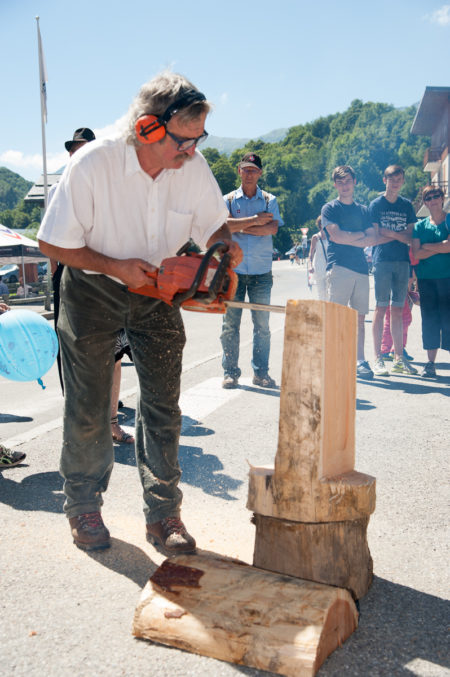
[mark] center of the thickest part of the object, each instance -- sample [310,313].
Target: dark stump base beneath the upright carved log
[335,553]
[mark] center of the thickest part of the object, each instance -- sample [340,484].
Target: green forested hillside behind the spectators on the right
[368,136]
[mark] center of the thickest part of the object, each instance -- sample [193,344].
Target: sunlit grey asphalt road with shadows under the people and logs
[66,612]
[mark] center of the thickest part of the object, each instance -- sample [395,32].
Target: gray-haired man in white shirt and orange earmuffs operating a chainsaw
[121,207]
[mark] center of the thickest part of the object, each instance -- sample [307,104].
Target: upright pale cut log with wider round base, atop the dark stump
[313,478]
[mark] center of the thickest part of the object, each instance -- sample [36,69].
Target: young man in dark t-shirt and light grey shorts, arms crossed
[348,229]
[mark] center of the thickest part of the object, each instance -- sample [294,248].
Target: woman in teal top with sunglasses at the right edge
[431,245]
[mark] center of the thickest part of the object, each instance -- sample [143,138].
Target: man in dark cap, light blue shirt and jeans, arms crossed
[253,219]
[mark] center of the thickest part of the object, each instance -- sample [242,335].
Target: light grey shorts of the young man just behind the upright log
[348,288]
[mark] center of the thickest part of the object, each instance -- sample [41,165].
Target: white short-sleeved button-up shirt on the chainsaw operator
[107,202]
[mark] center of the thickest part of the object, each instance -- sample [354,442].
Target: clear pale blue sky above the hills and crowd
[265,65]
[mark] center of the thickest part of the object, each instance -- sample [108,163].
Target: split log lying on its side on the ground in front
[225,609]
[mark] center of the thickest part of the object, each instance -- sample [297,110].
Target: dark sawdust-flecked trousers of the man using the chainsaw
[93,310]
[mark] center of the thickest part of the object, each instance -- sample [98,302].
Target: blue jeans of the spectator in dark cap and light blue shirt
[258,288]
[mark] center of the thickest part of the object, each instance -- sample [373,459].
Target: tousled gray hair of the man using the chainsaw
[156,96]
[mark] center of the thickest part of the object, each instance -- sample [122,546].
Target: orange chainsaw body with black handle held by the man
[194,281]
